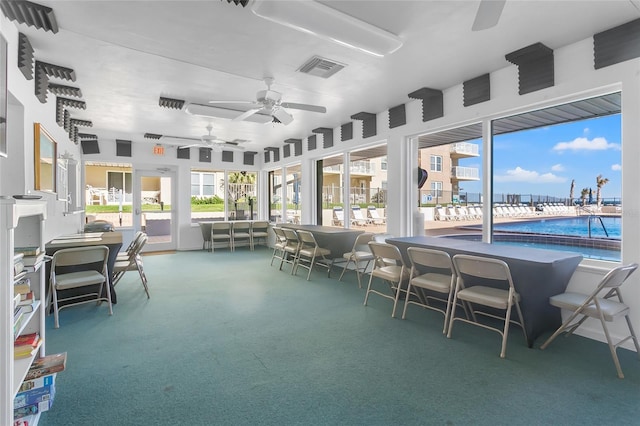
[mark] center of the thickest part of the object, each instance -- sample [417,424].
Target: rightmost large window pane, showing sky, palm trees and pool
[560,185]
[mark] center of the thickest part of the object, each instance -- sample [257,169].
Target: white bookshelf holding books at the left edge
[21,224]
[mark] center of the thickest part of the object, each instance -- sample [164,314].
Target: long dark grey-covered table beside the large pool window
[537,274]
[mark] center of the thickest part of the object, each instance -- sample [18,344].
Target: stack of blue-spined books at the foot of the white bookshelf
[38,390]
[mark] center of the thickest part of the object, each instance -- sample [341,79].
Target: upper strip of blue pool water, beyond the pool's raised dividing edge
[574,226]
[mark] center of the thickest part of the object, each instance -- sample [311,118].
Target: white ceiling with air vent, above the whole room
[127,54]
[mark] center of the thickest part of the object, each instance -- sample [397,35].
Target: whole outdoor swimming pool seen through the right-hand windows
[566,234]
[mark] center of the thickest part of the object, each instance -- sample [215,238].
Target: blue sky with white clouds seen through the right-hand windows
[543,161]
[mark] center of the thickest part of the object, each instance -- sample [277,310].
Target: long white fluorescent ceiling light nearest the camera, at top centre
[325,22]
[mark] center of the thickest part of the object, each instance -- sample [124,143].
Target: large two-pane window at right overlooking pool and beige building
[556,179]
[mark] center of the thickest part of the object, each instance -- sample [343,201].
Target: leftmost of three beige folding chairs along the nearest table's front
[389,267]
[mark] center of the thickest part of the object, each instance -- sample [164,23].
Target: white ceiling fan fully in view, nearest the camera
[270,102]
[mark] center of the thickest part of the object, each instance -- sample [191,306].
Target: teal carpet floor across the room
[227,339]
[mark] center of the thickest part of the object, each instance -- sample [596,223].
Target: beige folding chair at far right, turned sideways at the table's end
[605,303]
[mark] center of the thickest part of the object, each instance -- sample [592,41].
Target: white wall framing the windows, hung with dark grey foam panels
[575,77]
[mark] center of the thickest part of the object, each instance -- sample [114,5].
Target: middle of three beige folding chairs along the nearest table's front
[439,277]
